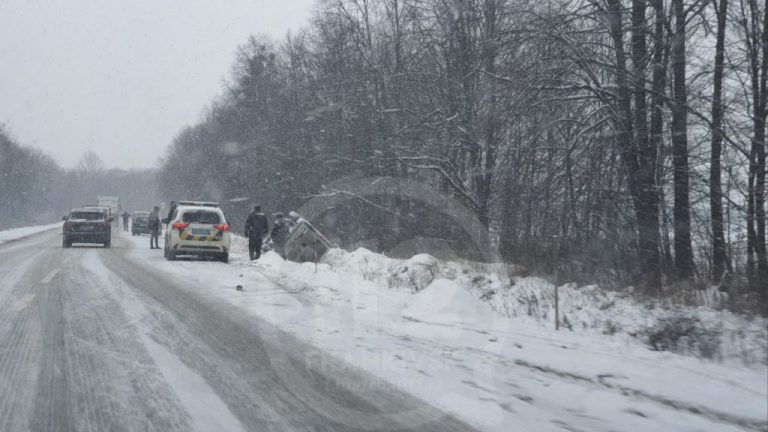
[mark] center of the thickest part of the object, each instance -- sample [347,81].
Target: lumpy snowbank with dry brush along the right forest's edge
[698,331]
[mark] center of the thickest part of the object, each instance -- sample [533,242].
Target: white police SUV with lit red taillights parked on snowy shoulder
[199,230]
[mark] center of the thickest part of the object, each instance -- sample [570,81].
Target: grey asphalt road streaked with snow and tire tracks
[91,340]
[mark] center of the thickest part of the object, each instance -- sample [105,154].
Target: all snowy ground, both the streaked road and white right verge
[120,339]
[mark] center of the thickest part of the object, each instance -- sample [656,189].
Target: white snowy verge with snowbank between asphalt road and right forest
[497,363]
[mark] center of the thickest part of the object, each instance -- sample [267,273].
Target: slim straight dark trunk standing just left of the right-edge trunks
[719,256]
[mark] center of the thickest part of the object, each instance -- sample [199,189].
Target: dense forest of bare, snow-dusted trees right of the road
[617,141]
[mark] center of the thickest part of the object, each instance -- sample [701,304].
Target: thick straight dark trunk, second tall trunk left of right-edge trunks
[682,214]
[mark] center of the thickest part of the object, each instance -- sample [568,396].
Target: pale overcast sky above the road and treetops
[121,78]
